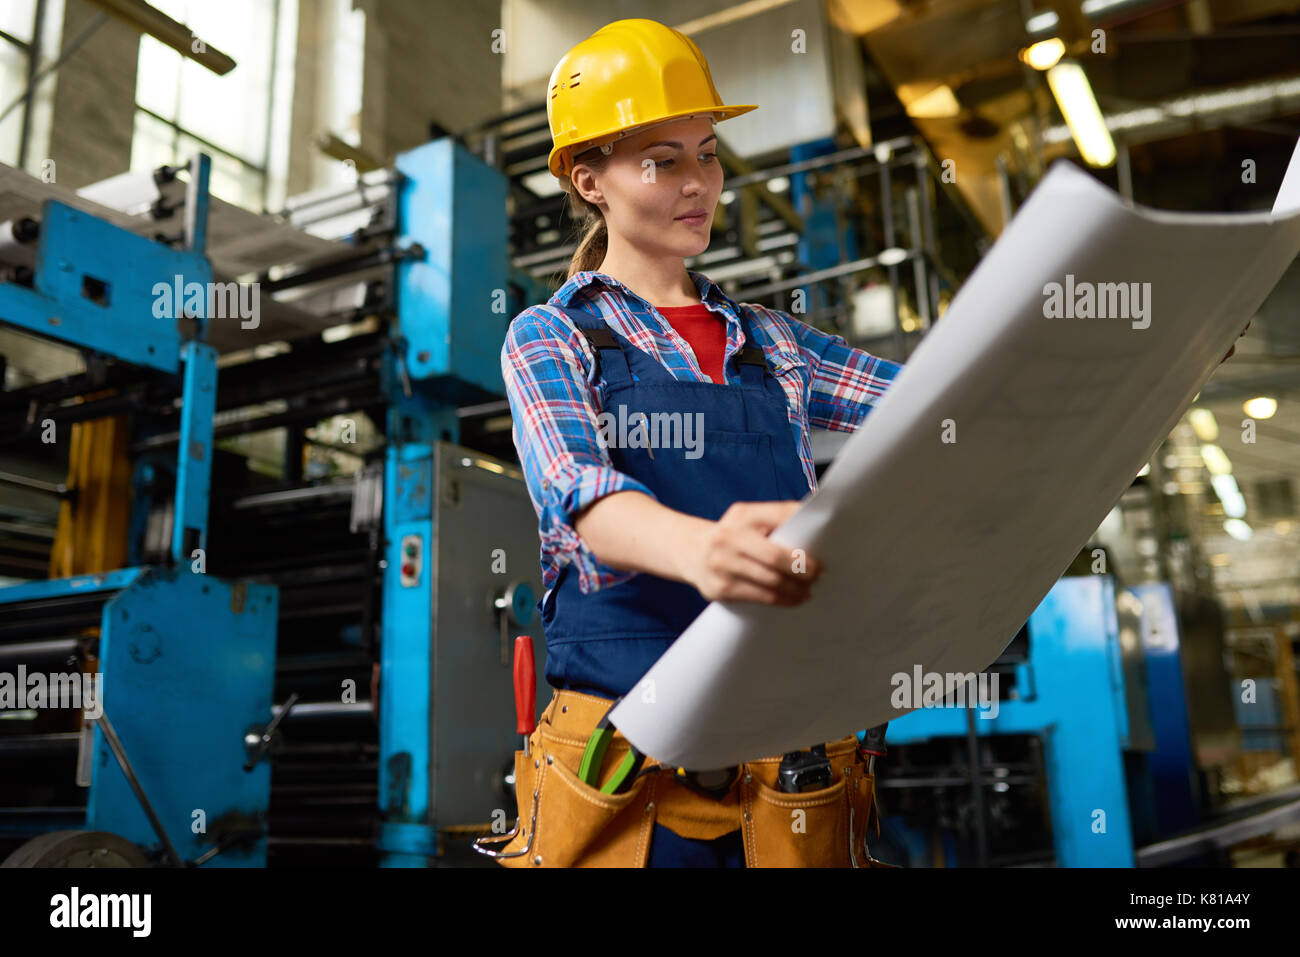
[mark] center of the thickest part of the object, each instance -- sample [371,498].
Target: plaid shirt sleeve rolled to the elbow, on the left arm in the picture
[554,410]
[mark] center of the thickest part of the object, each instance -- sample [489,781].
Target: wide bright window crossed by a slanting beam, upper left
[183,109]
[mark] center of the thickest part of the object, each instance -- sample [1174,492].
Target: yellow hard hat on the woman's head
[627,76]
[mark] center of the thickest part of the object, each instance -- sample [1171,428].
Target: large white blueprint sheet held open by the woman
[934,553]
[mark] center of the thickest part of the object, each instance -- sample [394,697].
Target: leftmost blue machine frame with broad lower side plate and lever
[185,659]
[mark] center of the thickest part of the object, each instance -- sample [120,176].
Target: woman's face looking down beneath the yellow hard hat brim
[655,180]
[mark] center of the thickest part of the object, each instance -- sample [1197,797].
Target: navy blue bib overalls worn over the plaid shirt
[605,642]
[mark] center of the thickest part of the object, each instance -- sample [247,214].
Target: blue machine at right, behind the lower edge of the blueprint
[1100,687]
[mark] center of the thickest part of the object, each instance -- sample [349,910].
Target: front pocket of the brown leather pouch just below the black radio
[796,830]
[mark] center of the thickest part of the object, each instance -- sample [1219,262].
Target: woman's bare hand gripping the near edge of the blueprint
[734,560]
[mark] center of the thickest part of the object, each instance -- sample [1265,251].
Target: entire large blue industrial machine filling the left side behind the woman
[423,560]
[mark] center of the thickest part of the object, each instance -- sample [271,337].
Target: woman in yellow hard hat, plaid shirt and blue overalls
[640,527]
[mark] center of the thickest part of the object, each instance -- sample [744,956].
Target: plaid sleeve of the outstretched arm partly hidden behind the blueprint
[846,382]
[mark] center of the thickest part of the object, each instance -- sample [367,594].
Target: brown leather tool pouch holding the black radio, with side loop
[814,829]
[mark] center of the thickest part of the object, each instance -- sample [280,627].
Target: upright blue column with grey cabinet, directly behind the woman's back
[461,549]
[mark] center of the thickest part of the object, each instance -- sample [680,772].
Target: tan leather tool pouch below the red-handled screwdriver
[567,824]
